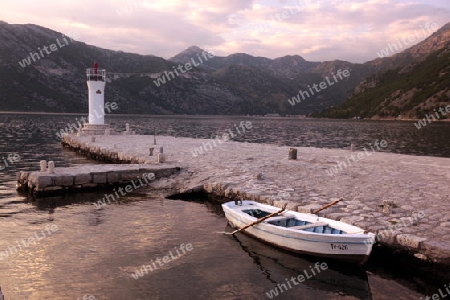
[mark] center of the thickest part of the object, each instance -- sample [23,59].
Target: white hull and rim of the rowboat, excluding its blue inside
[349,247]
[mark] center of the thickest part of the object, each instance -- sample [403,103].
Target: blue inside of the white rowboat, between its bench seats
[291,222]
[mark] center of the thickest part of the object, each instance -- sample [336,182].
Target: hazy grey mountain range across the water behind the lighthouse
[43,70]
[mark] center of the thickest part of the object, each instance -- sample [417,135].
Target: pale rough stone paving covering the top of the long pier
[405,199]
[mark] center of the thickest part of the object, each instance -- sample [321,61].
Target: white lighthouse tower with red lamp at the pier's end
[96,84]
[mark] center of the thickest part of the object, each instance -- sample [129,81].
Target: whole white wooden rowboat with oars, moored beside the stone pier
[301,233]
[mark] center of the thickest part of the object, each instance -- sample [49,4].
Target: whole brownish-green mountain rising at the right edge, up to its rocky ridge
[417,84]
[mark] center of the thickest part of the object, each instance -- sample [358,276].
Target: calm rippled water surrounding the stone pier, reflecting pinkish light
[94,252]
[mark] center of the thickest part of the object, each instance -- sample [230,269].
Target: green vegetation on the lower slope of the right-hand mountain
[411,93]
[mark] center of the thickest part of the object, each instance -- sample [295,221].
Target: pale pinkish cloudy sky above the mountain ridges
[353,30]
